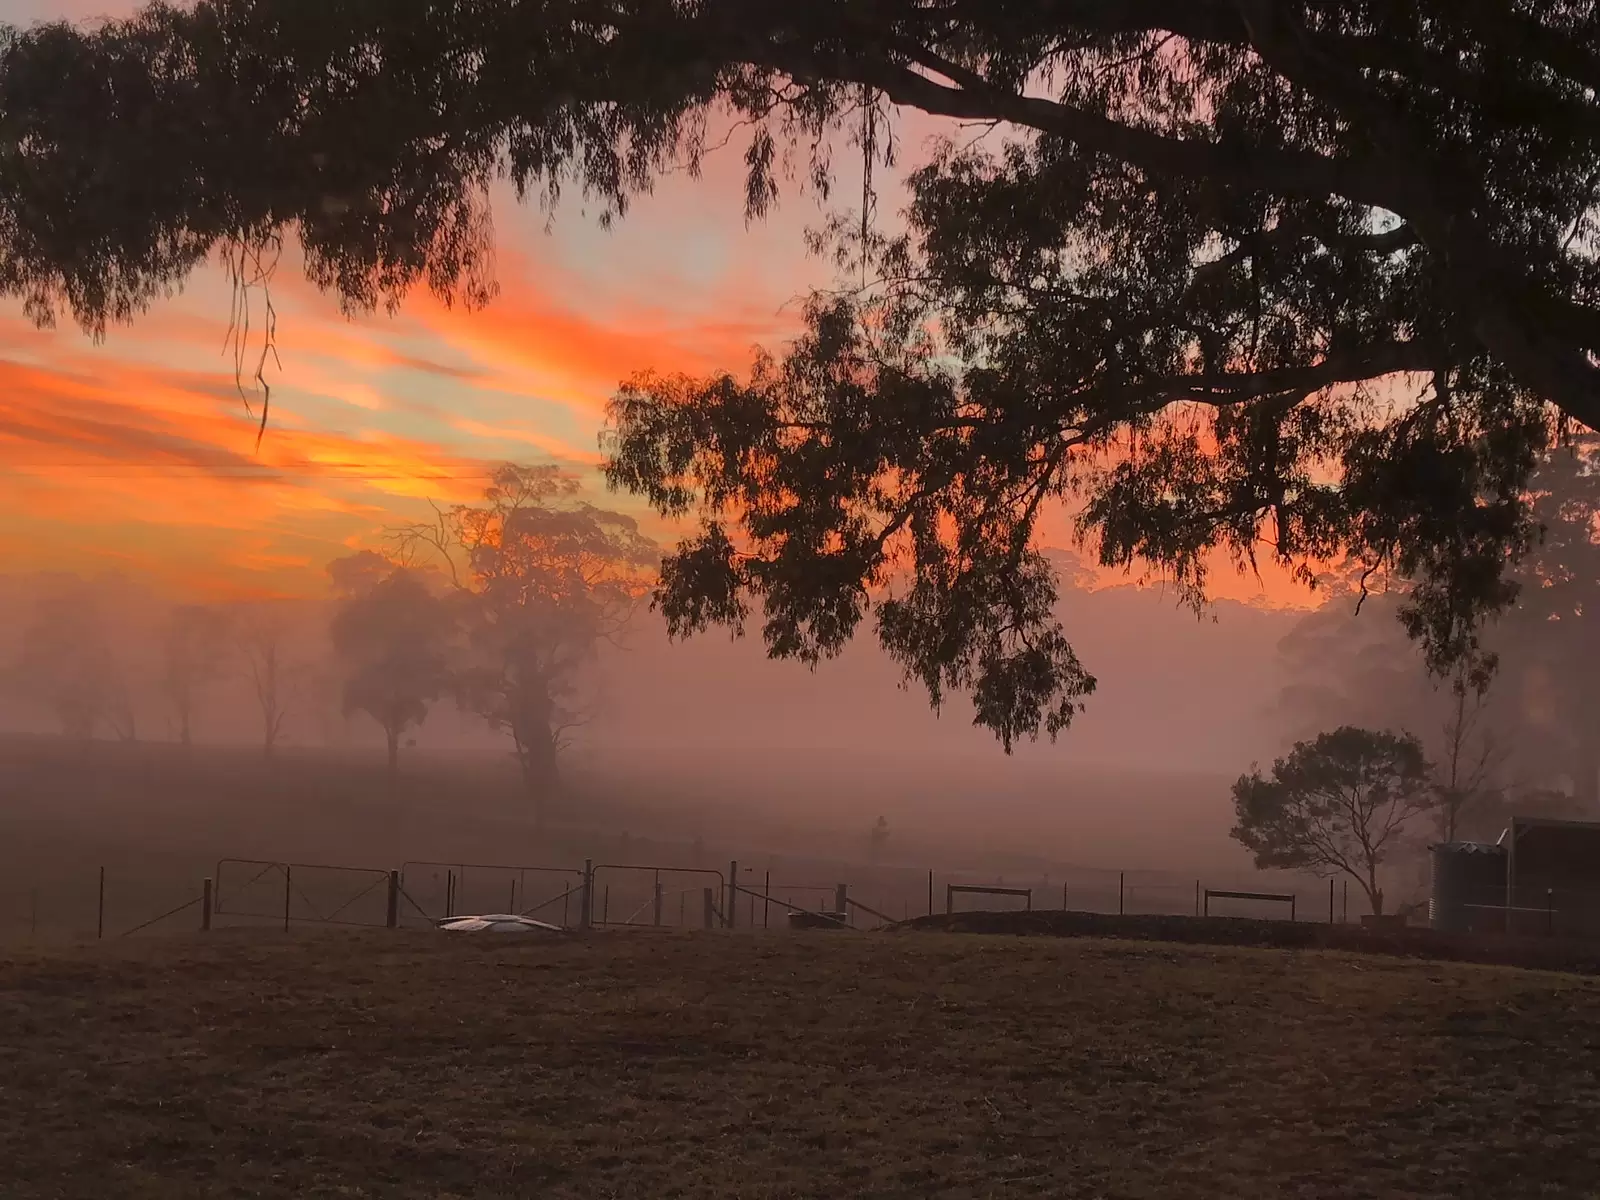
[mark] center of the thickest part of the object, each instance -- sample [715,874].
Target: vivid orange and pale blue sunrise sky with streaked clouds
[140,454]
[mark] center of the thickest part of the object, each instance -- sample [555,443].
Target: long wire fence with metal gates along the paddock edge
[95,905]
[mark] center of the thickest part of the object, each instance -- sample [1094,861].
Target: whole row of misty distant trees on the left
[498,607]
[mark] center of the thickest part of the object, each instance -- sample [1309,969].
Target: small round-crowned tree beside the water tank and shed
[1335,806]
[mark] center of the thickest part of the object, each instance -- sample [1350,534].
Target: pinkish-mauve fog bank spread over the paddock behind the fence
[710,742]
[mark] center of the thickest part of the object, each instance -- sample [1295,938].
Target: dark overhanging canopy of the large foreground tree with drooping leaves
[1231,278]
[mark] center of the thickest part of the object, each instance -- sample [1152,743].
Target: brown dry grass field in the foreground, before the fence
[910,1065]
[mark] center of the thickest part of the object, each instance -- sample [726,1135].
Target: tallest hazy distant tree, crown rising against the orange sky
[545,578]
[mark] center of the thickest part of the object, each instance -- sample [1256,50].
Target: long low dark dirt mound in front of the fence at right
[1550,954]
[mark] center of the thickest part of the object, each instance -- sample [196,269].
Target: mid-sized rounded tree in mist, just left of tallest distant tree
[391,634]
